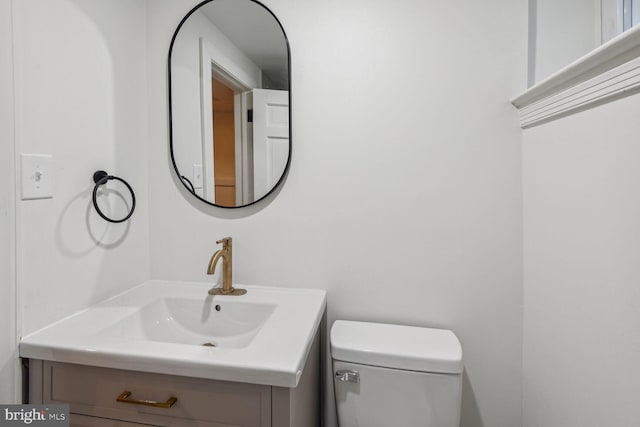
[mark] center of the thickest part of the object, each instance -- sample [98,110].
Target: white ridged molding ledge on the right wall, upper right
[610,72]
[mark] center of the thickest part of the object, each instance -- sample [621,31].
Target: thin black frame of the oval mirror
[173,160]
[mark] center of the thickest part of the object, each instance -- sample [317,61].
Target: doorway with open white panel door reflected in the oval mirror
[246,149]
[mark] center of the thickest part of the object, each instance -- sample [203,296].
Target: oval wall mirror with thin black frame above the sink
[230,102]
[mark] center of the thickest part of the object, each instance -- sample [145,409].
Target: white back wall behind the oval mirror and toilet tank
[404,195]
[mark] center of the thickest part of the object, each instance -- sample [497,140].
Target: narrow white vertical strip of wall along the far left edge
[8,348]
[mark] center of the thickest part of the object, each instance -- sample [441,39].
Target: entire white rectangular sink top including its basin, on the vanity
[176,328]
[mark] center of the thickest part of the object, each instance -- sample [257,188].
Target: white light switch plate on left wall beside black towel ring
[37,176]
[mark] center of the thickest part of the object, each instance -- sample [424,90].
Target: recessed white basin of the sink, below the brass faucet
[194,321]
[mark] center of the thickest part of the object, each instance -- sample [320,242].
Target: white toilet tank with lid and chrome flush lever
[396,376]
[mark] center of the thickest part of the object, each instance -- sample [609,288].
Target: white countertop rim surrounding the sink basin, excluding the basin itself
[275,356]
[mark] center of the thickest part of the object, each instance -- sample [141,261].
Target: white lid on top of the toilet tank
[396,346]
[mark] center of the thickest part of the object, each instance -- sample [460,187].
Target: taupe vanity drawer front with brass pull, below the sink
[93,391]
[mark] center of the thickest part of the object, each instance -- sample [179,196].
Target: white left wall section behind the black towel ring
[81,96]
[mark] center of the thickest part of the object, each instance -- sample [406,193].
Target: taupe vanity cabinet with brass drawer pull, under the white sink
[92,394]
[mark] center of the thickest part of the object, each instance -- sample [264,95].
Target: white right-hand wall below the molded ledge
[581,275]
